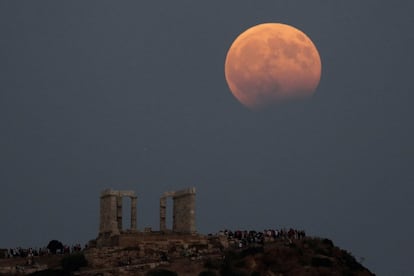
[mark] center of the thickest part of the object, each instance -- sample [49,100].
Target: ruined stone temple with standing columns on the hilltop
[111,232]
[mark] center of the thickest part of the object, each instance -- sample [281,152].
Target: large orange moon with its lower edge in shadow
[270,63]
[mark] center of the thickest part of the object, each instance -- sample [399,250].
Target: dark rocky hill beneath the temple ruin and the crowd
[160,254]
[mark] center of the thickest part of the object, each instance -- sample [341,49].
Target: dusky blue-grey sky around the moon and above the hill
[132,95]
